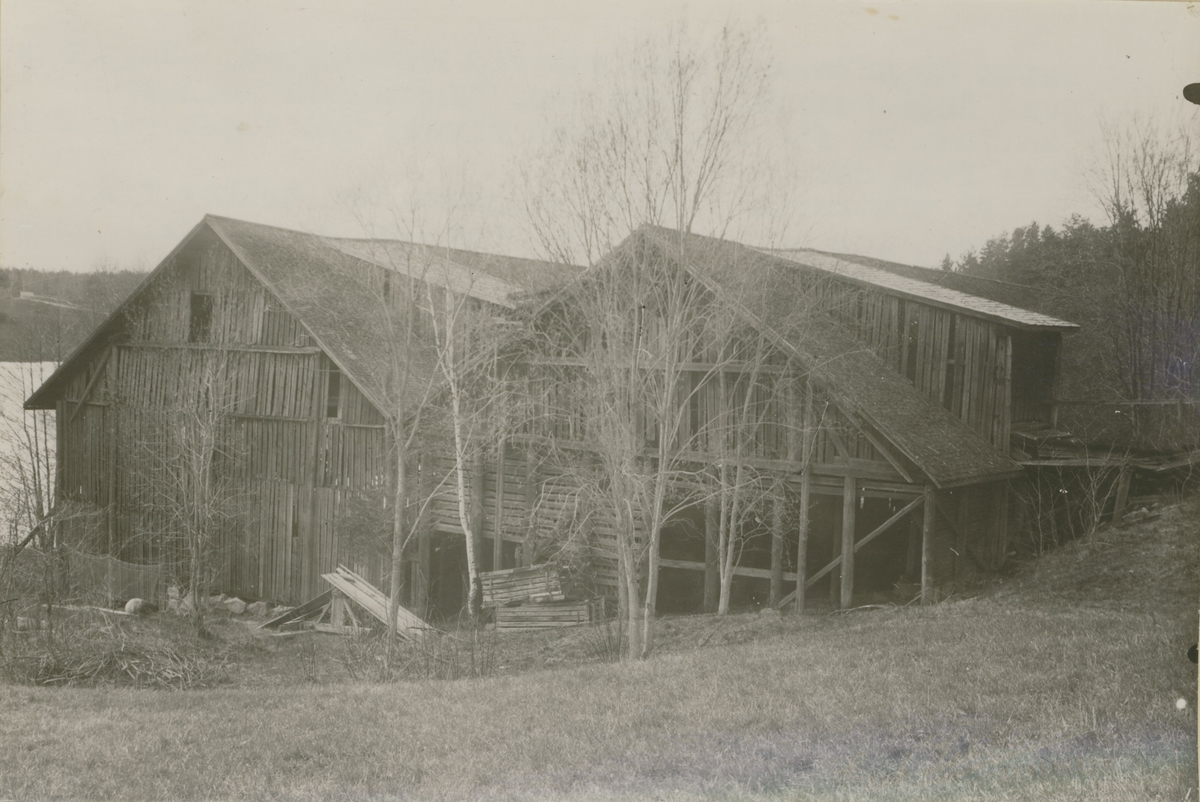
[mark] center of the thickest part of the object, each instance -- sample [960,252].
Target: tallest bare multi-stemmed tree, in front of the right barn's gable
[676,135]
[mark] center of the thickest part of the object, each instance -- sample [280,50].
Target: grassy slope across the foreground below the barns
[1060,685]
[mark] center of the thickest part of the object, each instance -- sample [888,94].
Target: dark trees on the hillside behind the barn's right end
[1133,286]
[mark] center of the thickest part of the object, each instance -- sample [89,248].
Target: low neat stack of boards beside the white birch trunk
[533,598]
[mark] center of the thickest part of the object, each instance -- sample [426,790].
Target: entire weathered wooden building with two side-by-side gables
[901,475]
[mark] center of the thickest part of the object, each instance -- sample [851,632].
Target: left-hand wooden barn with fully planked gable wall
[296,325]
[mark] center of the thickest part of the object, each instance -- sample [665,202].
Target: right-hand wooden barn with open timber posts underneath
[908,470]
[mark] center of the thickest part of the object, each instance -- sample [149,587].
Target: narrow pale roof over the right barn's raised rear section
[915,284]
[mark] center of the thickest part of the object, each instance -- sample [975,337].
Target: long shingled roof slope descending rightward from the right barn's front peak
[772,294]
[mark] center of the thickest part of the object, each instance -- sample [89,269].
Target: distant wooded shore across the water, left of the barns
[58,310]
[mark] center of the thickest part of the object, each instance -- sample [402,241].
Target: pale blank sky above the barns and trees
[920,128]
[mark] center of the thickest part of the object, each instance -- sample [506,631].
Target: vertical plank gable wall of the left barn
[295,457]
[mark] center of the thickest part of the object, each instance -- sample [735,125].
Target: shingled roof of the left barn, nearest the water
[323,283]
